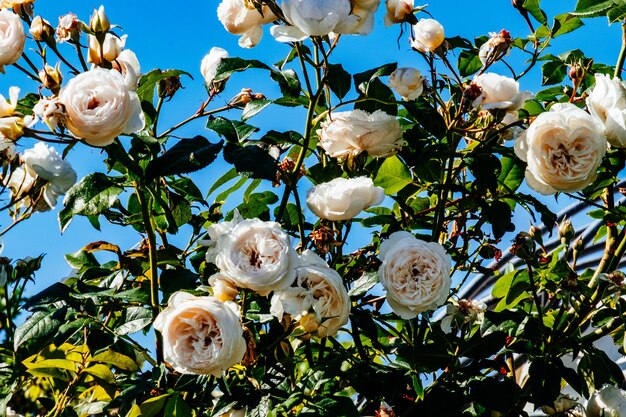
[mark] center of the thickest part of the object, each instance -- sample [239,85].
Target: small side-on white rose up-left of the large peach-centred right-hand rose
[499,92]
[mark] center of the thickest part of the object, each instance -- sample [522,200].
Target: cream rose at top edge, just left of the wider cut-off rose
[239,19]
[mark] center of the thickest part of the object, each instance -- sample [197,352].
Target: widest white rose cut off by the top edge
[321,17]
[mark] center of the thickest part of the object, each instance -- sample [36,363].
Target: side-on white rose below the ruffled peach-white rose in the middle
[343,198]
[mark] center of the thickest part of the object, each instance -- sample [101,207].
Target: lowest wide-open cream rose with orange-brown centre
[201,335]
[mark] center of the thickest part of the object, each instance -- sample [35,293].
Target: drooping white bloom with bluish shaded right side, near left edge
[44,162]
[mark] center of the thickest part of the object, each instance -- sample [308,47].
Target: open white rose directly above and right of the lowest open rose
[256,255]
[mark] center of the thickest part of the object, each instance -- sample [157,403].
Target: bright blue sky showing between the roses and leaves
[170,35]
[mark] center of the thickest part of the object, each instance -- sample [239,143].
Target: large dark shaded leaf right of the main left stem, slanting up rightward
[188,155]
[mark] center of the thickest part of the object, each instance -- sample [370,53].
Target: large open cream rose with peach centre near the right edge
[563,148]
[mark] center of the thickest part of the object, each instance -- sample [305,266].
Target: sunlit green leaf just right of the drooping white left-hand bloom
[94,194]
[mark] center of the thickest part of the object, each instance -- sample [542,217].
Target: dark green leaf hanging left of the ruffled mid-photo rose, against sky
[251,161]
